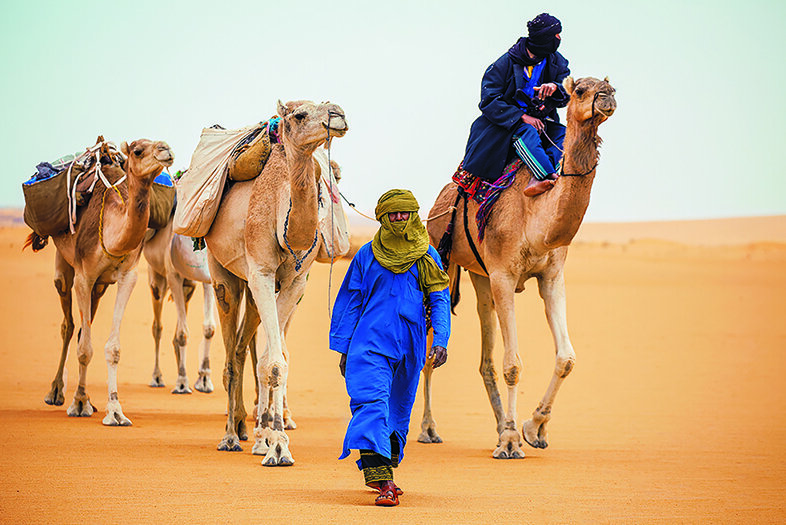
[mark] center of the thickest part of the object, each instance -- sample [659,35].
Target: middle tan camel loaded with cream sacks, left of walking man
[262,243]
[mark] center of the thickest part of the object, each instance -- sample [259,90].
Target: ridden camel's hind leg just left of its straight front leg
[488,332]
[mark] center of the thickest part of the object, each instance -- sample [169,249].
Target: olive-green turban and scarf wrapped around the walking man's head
[399,245]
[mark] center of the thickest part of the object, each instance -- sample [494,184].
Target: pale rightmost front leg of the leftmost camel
[114,412]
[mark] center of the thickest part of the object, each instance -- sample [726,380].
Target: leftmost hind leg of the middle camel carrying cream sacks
[228,290]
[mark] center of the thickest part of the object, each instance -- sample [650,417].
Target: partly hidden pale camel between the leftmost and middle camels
[174,265]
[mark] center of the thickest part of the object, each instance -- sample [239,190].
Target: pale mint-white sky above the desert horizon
[699,86]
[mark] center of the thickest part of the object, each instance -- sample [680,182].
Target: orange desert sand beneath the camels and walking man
[674,413]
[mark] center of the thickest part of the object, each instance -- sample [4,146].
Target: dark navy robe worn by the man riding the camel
[491,135]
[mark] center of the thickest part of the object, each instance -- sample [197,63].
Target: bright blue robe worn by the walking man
[379,323]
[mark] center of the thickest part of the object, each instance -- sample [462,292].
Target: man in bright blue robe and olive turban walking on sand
[394,288]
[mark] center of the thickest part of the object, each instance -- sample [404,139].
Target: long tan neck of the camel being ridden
[562,209]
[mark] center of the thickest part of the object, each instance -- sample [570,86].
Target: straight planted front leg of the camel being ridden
[502,291]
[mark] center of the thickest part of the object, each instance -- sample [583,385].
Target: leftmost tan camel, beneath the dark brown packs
[104,249]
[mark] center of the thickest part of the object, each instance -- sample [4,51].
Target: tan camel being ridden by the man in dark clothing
[525,237]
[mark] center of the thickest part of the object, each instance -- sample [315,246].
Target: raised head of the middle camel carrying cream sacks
[306,125]
